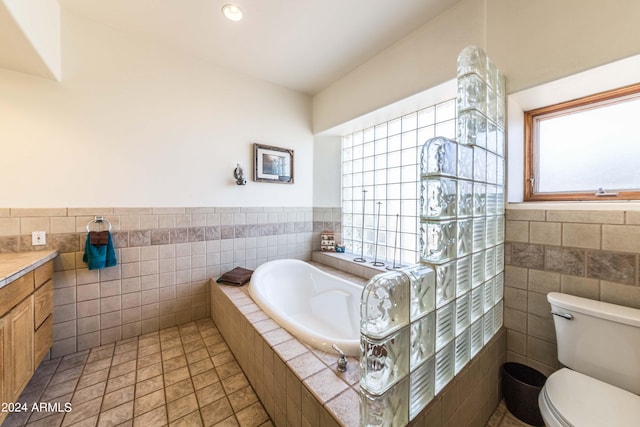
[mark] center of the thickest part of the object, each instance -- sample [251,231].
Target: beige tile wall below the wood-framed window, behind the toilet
[589,253]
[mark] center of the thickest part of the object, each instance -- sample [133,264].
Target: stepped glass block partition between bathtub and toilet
[421,325]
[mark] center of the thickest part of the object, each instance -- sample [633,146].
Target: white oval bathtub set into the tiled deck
[314,306]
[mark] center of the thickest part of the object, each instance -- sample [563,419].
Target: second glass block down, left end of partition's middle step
[438,198]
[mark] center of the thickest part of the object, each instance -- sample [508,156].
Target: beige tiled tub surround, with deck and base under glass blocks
[298,385]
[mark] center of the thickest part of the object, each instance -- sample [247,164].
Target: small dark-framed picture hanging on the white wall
[273,164]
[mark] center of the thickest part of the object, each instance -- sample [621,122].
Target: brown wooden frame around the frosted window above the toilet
[568,107]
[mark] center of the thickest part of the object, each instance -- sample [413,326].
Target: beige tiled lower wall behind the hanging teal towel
[166,257]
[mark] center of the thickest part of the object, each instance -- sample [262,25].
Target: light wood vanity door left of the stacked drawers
[18,348]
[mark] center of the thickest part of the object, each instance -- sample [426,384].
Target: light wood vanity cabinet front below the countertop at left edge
[26,329]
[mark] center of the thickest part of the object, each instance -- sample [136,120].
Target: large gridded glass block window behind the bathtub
[381,167]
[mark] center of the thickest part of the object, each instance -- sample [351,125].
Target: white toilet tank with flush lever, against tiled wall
[600,340]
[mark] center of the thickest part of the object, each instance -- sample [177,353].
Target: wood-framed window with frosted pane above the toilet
[585,149]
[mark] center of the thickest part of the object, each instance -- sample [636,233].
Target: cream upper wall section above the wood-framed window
[535,42]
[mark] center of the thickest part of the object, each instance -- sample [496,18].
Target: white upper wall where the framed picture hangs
[132,124]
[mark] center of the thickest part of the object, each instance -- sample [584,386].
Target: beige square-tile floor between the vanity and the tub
[180,376]
